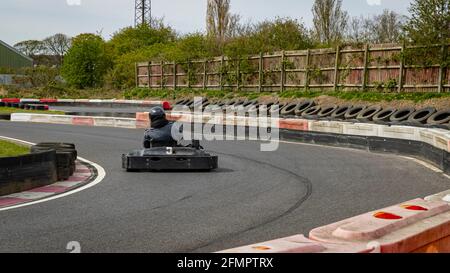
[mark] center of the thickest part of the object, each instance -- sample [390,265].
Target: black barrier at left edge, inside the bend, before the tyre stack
[27,172]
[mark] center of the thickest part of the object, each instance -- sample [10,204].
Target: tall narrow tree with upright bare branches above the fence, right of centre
[330,21]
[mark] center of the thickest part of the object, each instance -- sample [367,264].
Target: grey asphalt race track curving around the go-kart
[254,197]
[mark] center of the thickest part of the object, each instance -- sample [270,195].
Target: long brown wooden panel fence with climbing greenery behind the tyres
[379,67]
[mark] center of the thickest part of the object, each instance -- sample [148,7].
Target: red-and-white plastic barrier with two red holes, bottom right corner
[398,229]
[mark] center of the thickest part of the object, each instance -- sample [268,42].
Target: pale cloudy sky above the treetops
[31,19]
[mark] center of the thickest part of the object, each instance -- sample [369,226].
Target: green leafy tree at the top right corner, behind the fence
[429,22]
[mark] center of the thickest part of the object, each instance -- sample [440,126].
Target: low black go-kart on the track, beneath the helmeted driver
[170,157]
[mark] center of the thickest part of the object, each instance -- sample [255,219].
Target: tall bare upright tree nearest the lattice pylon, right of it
[221,24]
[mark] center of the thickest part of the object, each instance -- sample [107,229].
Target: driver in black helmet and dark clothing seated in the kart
[160,133]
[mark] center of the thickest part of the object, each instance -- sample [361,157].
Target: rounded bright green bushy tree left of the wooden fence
[86,62]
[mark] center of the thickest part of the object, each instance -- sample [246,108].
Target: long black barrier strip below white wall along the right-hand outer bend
[438,157]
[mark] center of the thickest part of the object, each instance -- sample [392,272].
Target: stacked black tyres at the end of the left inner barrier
[66,155]
